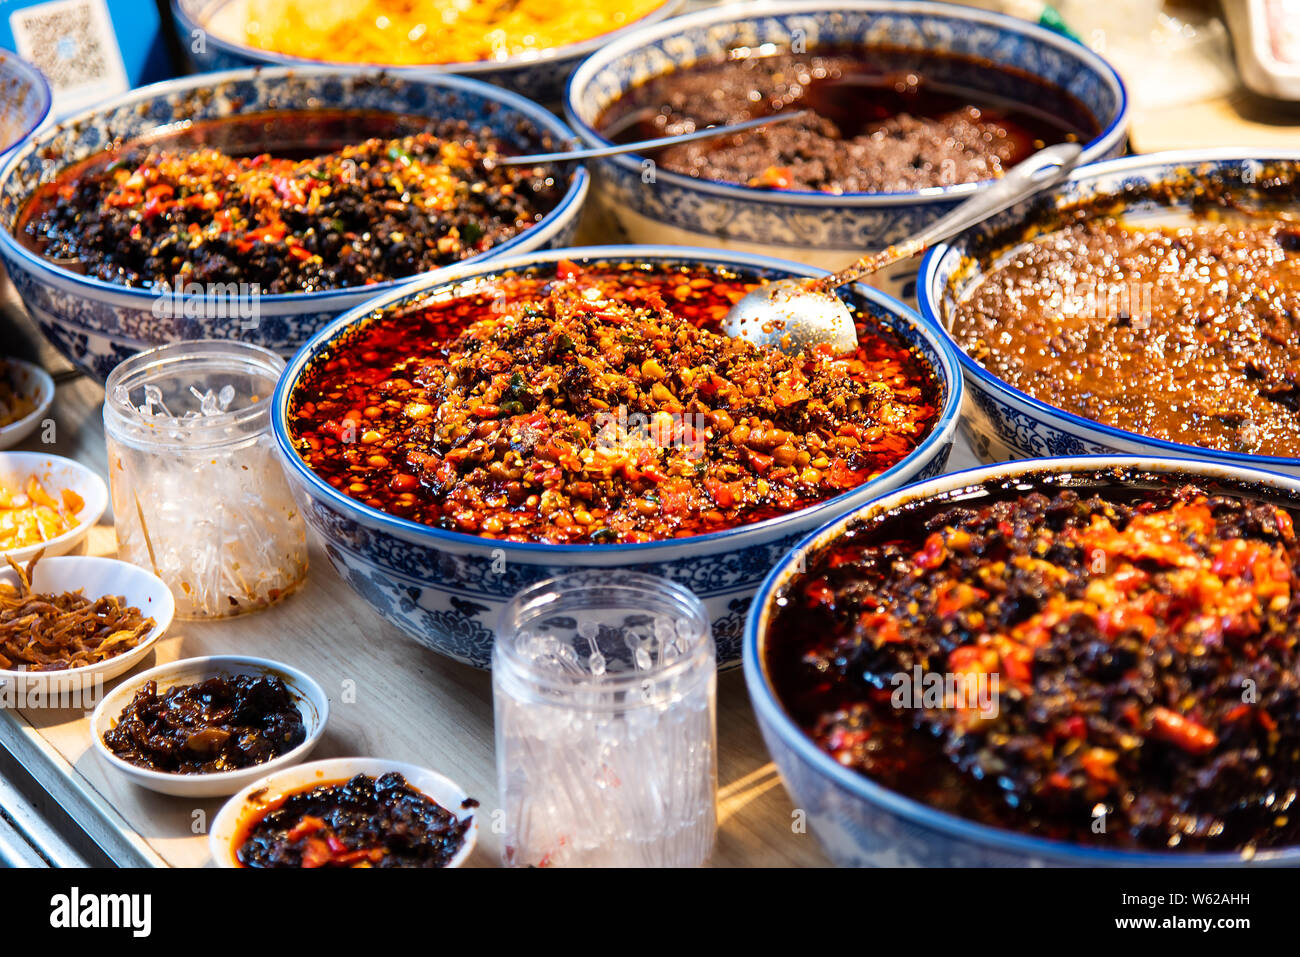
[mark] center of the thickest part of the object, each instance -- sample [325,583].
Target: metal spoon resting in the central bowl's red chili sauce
[799,315]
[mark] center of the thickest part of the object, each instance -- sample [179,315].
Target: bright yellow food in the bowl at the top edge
[404,33]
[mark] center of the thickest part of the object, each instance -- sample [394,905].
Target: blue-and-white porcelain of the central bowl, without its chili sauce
[447,590]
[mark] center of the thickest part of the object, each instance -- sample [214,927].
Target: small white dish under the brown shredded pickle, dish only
[96,578]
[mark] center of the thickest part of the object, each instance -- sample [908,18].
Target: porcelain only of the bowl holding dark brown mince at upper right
[822,229]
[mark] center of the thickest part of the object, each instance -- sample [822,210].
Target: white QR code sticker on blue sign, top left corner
[72,42]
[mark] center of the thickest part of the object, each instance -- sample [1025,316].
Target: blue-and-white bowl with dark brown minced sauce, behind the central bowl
[896,81]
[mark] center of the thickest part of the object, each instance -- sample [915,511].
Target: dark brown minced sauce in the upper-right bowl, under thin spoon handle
[886,120]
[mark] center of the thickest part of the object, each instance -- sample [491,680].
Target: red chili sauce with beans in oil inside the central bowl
[599,405]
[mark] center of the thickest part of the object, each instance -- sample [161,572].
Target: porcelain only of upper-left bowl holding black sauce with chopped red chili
[97,324]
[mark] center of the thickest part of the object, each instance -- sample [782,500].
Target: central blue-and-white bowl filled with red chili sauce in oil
[440,493]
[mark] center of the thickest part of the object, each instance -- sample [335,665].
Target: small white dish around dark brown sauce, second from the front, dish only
[313,704]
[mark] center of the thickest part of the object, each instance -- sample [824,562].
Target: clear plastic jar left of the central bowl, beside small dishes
[198,491]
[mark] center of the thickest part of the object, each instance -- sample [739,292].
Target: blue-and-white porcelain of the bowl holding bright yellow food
[209,31]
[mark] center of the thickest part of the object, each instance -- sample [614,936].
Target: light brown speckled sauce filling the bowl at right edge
[1182,334]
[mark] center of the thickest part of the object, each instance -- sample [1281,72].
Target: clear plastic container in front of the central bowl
[605,691]
